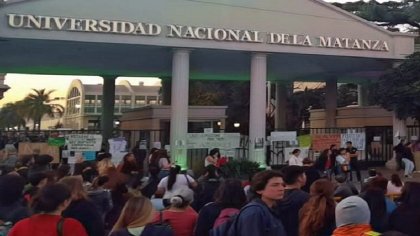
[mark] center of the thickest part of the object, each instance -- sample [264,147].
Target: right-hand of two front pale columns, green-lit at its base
[257,117]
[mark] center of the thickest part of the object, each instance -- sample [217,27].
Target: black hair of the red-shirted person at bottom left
[49,198]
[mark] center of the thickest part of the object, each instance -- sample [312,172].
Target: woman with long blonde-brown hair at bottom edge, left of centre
[135,217]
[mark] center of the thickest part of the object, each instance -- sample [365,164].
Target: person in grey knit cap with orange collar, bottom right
[352,217]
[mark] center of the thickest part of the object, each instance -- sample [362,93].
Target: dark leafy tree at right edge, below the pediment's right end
[399,89]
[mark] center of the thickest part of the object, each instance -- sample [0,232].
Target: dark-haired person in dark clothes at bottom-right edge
[406,217]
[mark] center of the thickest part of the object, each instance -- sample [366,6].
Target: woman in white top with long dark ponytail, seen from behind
[168,185]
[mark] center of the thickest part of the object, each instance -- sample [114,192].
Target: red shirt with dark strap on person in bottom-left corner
[46,225]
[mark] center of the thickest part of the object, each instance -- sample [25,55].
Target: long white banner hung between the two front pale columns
[213,140]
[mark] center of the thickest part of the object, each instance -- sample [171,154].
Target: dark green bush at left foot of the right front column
[242,169]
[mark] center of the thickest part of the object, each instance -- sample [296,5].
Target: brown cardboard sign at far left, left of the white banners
[42,148]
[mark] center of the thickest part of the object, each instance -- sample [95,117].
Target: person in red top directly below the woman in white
[181,217]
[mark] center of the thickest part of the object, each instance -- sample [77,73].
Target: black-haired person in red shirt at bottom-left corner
[48,205]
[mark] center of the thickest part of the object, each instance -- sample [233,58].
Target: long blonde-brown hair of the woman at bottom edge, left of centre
[137,212]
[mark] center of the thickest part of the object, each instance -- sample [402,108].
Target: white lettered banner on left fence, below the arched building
[84,142]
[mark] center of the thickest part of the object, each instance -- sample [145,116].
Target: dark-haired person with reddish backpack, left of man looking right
[228,200]
